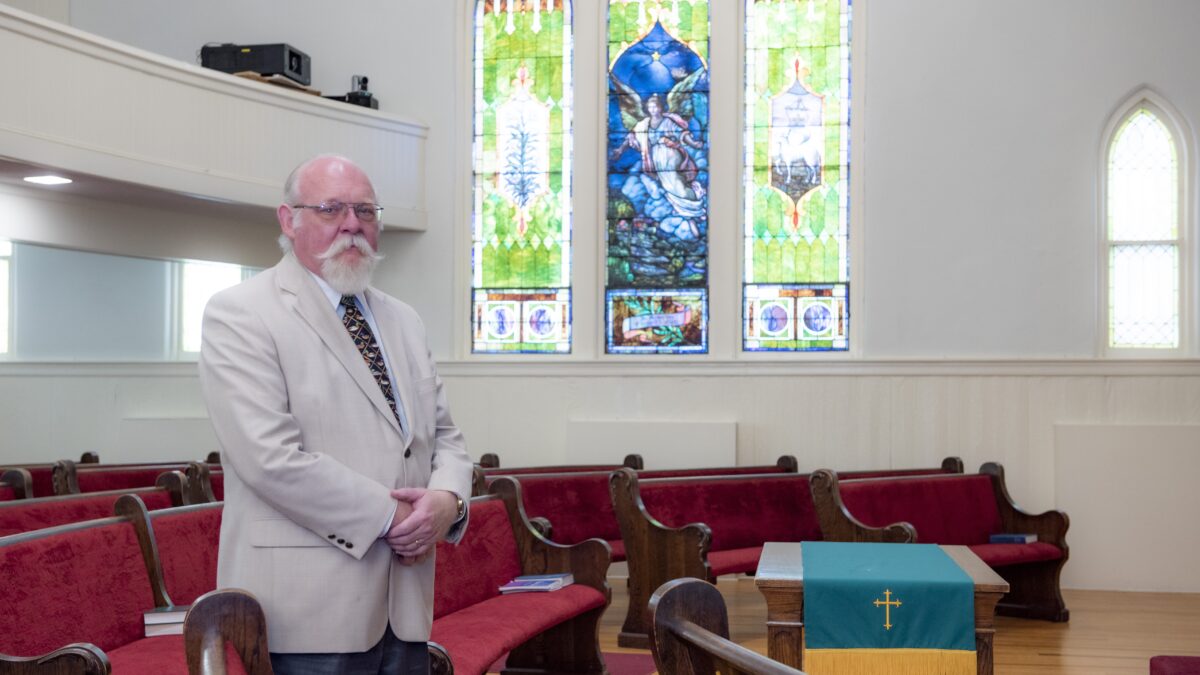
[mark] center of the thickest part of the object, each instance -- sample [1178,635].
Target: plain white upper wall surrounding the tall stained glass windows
[979,127]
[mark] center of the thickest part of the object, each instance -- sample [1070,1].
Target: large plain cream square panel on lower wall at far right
[1133,499]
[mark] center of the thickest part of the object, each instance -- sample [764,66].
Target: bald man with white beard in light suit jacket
[344,465]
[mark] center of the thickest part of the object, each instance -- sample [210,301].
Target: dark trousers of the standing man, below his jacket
[388,658]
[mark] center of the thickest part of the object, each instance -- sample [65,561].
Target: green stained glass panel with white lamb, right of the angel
[796,258]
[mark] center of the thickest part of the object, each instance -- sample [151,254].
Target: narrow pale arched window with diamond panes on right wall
[1144,235]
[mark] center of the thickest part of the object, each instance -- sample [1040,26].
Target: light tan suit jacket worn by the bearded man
[313,450]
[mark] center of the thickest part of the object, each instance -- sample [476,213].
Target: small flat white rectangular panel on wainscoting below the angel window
[662,444]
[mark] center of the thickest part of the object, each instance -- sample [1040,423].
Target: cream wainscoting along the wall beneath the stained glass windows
[853,415]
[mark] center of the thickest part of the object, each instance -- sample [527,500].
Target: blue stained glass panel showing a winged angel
[658,146]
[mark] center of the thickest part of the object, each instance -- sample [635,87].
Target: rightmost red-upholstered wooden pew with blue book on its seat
[958,510]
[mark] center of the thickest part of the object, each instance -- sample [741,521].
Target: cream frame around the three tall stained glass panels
[589,267]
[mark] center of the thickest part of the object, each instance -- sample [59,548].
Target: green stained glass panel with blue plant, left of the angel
[521,256]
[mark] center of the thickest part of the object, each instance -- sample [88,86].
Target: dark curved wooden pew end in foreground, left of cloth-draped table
[691,635]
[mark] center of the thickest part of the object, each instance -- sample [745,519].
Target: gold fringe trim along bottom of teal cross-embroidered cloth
[891,662]
